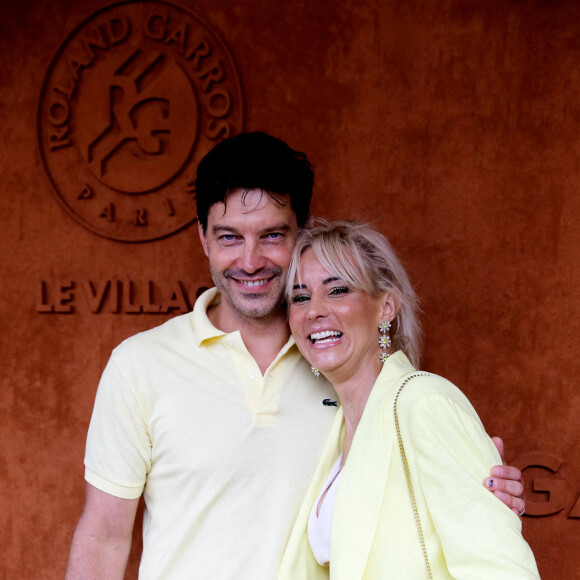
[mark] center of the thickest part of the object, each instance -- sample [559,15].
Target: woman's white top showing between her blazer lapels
[320,526]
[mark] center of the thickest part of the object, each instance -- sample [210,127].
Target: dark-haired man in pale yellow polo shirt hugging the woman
[214,416]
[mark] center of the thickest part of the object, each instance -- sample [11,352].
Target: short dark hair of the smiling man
[254,161]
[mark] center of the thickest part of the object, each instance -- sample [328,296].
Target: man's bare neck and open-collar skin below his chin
[264,337]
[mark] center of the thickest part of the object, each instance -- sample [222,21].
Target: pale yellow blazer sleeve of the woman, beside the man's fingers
[450,455]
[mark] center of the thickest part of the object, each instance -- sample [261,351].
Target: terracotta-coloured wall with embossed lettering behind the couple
[450,124]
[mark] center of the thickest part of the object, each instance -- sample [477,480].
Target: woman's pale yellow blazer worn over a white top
[468,533]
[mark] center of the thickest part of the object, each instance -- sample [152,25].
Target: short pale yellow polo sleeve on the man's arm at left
[118,452]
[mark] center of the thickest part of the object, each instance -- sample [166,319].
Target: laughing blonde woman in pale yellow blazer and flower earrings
[404,500]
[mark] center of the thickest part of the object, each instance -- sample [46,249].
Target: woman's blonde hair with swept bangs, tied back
[365,259]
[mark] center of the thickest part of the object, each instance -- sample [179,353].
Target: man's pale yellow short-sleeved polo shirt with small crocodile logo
[222,454]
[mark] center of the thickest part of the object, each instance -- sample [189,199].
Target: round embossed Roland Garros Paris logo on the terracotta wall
[134,98]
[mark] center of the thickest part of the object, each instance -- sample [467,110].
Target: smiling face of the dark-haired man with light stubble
[249,242]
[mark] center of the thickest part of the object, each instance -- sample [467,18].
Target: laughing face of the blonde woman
[335,326]
